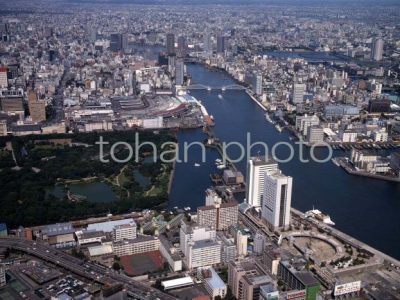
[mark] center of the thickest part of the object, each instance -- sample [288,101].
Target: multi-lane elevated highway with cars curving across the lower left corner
[88,270]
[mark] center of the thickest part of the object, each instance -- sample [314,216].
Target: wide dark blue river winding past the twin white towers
[365,208]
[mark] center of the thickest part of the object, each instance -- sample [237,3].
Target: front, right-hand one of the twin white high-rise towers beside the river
[277,200]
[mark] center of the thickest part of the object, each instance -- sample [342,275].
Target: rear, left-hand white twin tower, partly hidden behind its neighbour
[256,168]
